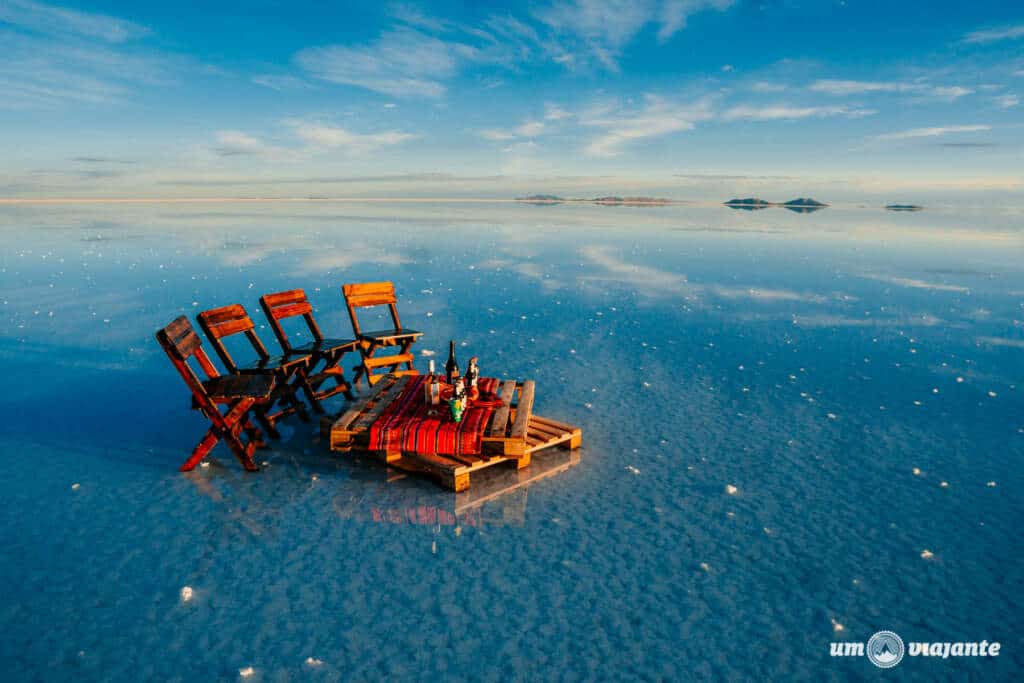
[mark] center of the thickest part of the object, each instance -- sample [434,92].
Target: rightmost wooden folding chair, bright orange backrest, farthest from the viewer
[379,294]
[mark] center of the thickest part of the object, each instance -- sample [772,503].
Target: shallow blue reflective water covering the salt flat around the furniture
[810,362]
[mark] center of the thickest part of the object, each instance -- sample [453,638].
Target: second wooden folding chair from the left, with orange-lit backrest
[288,371]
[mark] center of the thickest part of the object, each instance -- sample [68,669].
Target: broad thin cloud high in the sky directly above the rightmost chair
[403,63]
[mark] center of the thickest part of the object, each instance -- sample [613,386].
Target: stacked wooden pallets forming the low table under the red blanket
[514,434]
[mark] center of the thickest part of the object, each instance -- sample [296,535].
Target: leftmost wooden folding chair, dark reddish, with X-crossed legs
[241,395]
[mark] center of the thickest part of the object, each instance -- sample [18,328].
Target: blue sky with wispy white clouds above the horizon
[684,99]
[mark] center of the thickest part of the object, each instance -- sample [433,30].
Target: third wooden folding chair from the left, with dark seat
[329,352]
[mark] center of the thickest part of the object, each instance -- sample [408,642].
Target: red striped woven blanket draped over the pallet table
[412,425]
